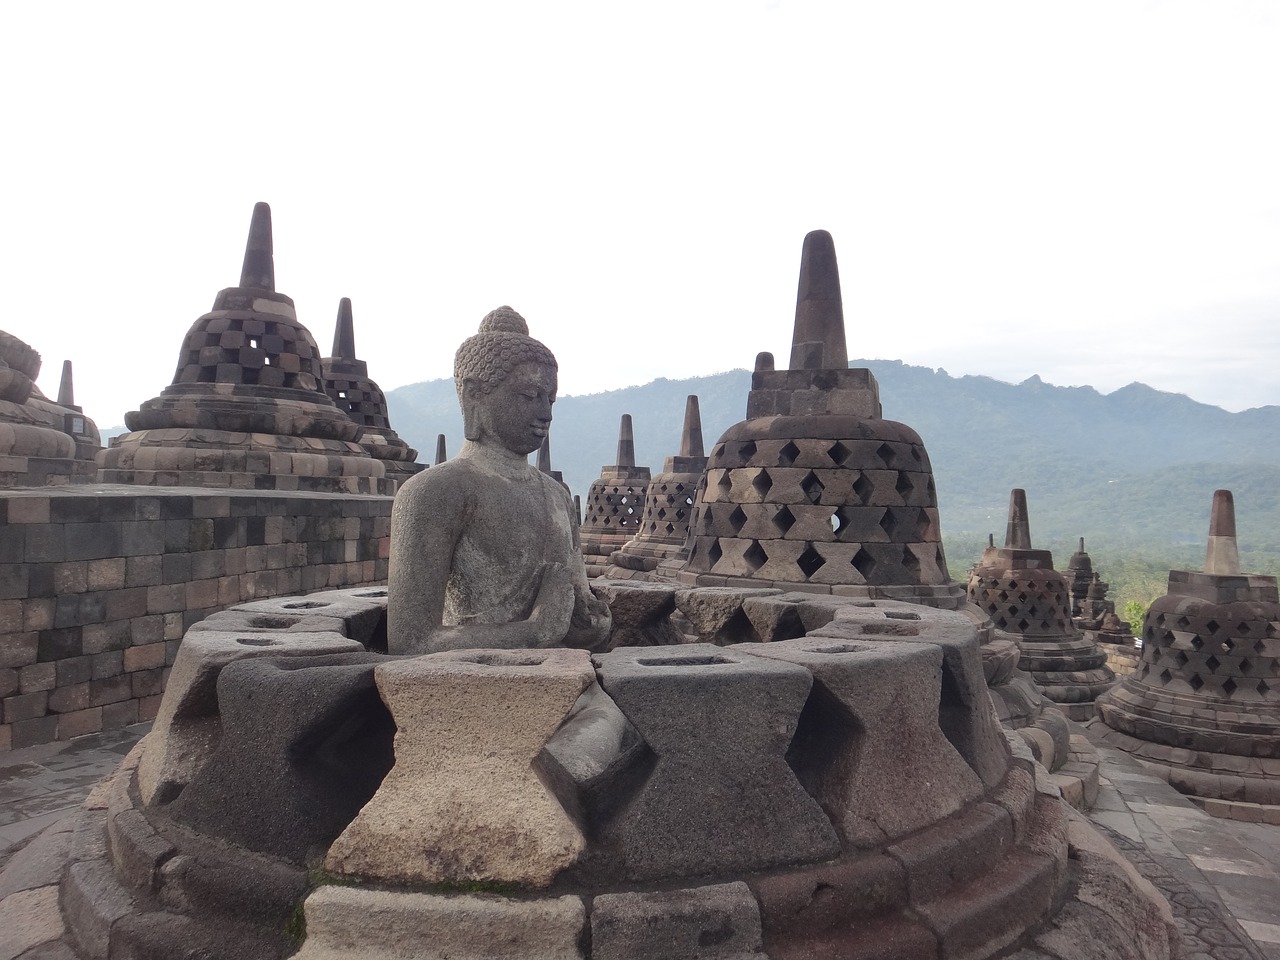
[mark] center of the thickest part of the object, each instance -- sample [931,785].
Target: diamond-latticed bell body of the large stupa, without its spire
[821,500]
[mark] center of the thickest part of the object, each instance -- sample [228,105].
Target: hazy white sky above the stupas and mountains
[1086,191]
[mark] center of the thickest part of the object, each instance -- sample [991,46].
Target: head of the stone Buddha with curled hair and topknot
[508,385]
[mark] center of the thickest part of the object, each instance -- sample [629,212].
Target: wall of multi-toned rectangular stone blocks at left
[99,584]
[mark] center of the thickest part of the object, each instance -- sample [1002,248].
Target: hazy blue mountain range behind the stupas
[1136,468]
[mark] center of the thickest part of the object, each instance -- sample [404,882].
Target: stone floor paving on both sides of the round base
[1222,877]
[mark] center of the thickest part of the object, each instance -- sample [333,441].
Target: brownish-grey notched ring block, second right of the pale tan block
[868,747]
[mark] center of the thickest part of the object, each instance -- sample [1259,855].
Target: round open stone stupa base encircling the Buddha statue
[779,831]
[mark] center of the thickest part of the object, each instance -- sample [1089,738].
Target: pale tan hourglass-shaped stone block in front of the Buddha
[463,803]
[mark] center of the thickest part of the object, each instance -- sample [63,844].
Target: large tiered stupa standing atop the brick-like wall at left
[246,408]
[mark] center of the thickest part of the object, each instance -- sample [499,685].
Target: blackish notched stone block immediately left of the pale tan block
[307,742]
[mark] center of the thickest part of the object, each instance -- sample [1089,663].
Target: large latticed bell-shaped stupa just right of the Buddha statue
[816,487]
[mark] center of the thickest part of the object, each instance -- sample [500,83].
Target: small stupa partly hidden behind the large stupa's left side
[669,505]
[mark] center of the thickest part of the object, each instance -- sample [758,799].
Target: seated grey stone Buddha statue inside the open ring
[486,547]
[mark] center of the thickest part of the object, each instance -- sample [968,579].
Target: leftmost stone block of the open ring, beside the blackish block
[186,729]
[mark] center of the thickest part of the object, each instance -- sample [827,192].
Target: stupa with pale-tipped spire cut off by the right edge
[1203,710]
